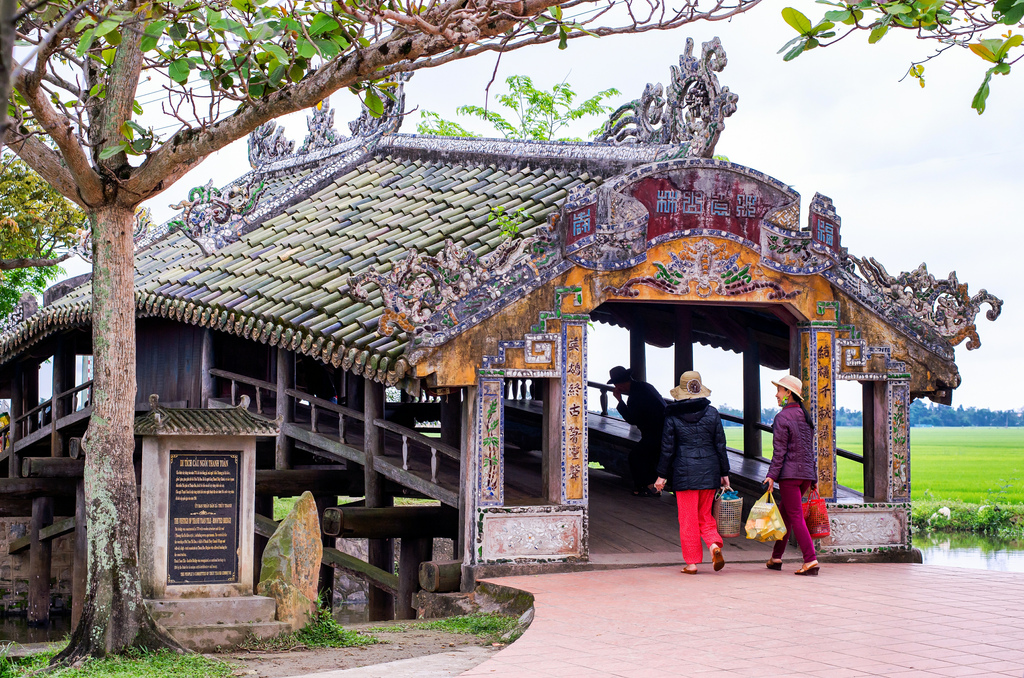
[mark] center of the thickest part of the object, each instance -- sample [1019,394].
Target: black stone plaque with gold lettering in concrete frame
[203,537]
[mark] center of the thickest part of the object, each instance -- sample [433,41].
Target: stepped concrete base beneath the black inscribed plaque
[205,625]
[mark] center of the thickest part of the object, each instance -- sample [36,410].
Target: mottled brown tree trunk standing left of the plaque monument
[114,617]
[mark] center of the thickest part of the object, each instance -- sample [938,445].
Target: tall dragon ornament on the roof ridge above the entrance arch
[692,111]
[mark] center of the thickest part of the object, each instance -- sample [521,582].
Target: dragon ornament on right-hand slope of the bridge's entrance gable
[944,306]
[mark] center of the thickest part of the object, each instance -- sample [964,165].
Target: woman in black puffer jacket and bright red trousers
[694,452]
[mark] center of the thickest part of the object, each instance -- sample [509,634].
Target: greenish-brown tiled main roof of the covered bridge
[359,208]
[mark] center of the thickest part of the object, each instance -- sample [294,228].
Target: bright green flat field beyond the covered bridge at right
[982,465]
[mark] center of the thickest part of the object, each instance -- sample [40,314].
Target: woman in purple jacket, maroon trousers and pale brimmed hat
[795,469]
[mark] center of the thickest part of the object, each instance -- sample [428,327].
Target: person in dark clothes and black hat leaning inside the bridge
[646,410]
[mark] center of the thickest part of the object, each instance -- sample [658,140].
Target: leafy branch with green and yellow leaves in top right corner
[952,23]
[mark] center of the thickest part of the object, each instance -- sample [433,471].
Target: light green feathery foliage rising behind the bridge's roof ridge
[537,115]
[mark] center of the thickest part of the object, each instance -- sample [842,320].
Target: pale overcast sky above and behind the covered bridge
[916,175]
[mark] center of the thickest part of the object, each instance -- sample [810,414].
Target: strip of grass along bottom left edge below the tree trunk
[134,665]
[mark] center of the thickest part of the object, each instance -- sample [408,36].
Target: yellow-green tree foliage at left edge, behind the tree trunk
[36,222]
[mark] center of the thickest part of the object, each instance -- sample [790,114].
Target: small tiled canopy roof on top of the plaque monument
[182,421]
